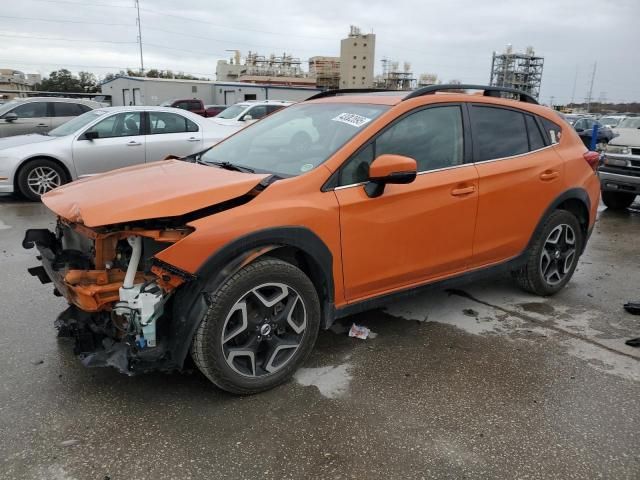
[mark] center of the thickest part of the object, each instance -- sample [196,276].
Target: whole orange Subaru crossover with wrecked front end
[241,253]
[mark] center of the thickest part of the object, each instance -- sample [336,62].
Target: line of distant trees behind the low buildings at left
[86,82]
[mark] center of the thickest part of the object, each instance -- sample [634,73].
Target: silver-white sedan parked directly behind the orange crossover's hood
[98,141]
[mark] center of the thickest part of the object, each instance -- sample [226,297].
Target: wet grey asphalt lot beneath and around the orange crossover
[485,382]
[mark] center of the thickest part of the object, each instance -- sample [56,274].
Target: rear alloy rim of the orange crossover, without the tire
[558,254]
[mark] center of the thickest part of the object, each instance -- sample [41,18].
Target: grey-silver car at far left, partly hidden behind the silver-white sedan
[40,114]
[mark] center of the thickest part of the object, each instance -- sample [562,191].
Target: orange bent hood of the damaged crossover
[161,189]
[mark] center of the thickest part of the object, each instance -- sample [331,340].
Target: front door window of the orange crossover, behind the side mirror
[431,136]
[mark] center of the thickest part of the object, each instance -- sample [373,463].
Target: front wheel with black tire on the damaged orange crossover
[261,325]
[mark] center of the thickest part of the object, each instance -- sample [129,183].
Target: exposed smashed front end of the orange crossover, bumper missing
[118,292]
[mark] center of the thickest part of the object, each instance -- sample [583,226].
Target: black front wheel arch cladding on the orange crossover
[190,301]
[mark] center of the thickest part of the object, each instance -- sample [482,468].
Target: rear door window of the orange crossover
[498,133]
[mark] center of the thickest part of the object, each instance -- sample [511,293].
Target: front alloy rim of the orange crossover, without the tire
[264,329]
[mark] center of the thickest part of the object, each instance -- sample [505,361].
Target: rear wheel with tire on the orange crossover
[553,256]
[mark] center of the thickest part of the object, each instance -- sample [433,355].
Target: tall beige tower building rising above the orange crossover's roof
[357,55]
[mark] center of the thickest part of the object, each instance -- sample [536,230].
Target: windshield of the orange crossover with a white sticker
[295,139]
